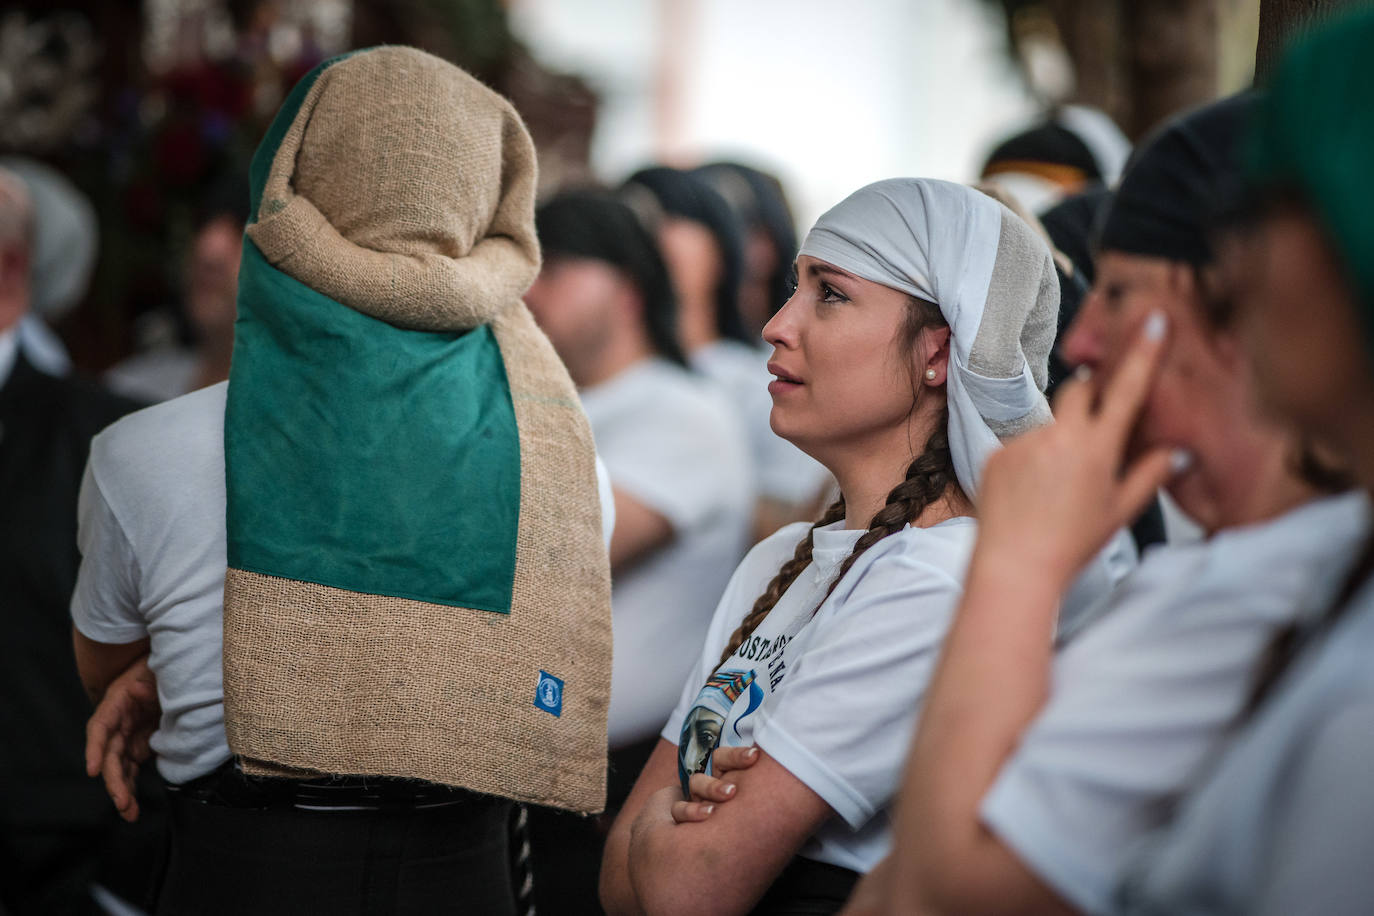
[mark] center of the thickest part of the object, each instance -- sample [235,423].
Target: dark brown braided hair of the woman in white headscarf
[927,480]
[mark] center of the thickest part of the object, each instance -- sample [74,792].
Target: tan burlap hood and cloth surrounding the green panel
[405,189]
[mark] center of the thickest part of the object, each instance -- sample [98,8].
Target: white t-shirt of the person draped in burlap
[153,562]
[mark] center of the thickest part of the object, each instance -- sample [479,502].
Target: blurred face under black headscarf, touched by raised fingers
[1203,395]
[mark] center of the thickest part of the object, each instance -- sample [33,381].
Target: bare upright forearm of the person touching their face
[991,683]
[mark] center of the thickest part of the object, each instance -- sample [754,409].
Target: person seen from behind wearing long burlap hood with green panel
[398,495]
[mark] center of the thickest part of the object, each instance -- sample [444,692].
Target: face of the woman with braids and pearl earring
[844,374]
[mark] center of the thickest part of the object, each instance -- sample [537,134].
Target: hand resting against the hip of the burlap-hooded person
[119,733]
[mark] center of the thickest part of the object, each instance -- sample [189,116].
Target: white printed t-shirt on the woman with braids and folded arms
[832,694]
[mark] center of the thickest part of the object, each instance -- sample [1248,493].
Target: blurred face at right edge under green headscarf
[1298,318]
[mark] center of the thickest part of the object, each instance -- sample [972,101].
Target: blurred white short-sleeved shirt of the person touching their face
[1142,698]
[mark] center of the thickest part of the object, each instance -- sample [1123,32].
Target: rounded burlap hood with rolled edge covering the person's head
[435,230]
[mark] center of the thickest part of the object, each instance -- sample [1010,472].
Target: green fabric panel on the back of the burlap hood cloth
[420,440]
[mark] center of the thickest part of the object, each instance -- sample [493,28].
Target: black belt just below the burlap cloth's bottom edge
[229,786]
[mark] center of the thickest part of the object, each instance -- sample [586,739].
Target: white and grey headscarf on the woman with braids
[993,279]
